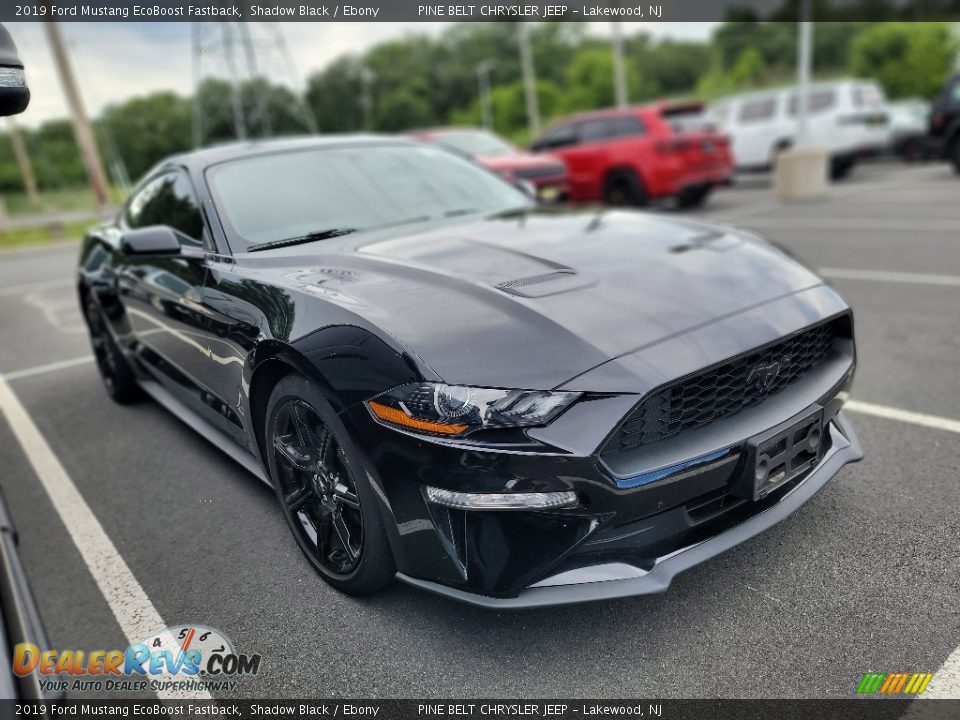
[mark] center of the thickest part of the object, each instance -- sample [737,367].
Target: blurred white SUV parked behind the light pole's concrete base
[848,118]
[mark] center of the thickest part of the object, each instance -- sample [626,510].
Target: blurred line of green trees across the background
[421,81]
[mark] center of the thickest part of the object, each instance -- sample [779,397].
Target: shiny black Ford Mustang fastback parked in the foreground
[507,405]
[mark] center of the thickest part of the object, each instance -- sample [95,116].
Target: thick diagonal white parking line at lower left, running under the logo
[134,611]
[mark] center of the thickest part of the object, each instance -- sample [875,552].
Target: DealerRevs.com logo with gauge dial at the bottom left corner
[182,657]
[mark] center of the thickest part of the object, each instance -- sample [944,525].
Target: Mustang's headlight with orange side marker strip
[456,410]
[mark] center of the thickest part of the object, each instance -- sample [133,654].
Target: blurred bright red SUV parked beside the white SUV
[631,155]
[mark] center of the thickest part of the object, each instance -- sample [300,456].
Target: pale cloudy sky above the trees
[117,61]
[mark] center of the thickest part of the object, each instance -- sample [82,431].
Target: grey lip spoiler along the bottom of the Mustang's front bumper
[615,579]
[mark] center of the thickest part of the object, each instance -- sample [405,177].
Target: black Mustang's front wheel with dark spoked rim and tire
[328,504]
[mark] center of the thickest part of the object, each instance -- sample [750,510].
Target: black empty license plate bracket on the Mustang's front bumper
[777,456]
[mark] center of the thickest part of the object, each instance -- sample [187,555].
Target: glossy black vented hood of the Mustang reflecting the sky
[537,299]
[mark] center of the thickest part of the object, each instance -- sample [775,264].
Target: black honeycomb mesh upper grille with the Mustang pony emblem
[724,389]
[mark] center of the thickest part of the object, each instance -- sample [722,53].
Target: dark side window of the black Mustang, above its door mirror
[167,200]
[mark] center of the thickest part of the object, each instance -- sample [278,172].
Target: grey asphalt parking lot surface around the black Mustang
[864,578]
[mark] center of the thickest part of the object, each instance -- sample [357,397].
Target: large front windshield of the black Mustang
[287,195]
